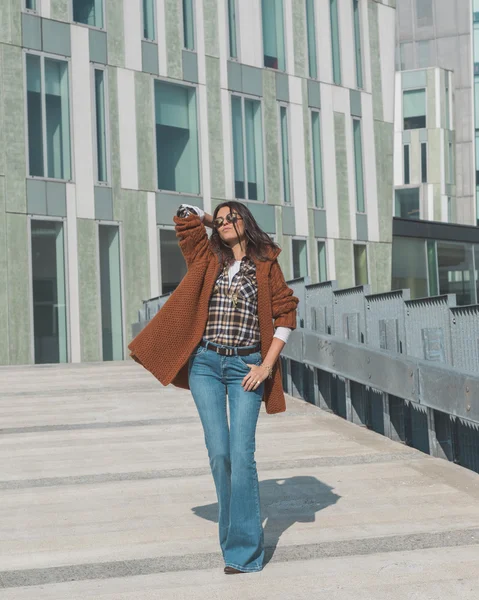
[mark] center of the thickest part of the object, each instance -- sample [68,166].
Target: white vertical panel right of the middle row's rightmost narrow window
[369,166]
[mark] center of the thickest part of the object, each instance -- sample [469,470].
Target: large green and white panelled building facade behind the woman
[114,112]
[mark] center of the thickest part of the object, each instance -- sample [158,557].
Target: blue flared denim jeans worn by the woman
[231,450]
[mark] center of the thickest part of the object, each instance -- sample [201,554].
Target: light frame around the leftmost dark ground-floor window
[63,220]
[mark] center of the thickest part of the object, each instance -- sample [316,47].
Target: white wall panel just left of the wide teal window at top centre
[250,32]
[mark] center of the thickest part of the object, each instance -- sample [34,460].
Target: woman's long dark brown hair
[258,243]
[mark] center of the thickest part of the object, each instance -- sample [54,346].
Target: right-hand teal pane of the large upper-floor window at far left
[57,109]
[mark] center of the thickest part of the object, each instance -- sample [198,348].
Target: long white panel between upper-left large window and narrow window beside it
[81,103]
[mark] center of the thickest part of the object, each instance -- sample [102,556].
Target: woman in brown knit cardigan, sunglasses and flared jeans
[215,336]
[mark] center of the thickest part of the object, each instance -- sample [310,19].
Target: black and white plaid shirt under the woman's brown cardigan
[230,325]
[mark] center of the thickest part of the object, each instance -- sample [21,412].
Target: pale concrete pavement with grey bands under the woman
[106,493]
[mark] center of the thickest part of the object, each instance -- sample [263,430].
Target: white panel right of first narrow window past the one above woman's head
[298,171]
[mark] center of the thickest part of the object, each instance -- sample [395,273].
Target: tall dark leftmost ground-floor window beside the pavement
[49,292]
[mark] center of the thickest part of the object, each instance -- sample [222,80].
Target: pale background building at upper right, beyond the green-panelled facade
[435,52]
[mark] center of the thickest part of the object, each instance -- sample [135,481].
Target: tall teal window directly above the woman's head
[247,148]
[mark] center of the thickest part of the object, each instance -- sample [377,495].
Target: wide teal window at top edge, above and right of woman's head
[273,34]
